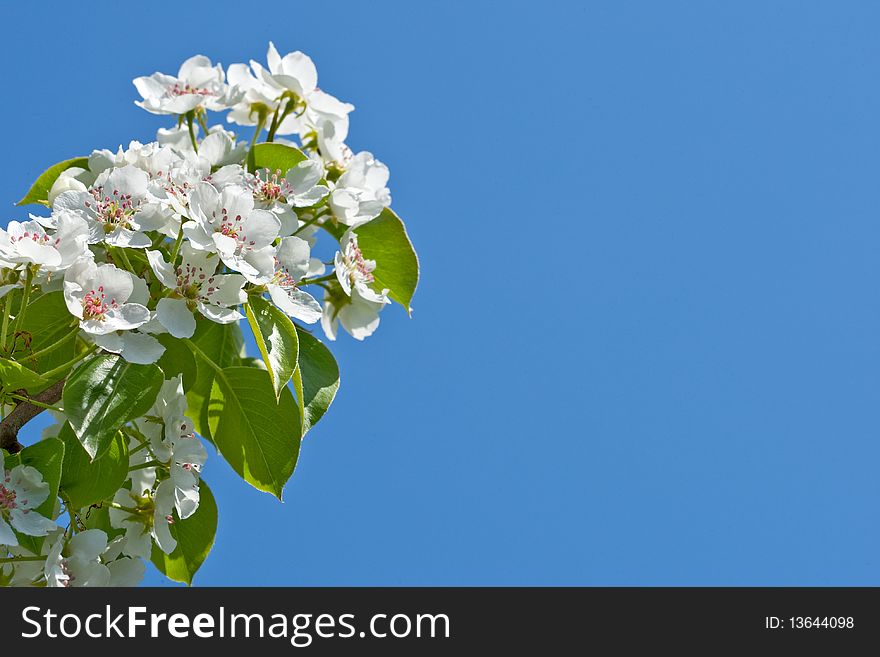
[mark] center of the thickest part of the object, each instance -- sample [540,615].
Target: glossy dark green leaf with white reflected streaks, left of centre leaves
[104,393]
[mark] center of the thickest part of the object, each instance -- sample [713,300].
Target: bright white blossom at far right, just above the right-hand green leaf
[361,193]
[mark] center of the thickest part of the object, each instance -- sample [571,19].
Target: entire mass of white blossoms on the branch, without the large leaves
[144,244]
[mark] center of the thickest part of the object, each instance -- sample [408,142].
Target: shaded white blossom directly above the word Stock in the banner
[82,564]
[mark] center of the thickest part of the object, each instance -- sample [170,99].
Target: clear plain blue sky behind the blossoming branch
[646,346]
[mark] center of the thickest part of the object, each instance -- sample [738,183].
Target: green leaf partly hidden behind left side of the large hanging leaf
[223,344]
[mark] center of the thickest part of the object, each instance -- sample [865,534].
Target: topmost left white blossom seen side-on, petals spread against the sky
[198,85]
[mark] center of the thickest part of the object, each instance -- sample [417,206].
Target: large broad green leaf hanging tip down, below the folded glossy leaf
[258,437]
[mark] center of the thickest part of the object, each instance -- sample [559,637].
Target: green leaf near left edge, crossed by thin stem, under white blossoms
[47,324]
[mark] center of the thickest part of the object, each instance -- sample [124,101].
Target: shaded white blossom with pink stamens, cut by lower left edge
[22,490]
